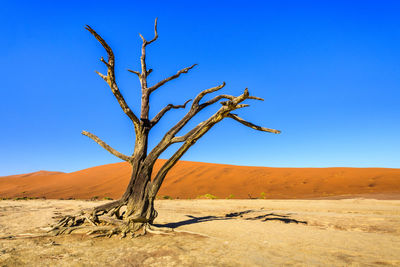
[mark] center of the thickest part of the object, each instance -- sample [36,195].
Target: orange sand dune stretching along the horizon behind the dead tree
[192,179]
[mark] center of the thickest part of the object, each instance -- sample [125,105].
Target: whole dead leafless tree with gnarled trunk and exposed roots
[134,213]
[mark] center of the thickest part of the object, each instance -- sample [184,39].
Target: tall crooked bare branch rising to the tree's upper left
[110,78]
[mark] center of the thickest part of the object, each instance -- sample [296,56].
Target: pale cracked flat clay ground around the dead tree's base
[352,232]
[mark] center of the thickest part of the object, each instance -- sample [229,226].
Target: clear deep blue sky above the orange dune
[329,72]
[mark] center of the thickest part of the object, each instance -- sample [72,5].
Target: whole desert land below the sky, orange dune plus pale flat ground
[313,217]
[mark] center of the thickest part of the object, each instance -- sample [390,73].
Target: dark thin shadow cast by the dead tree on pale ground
[232,216]
